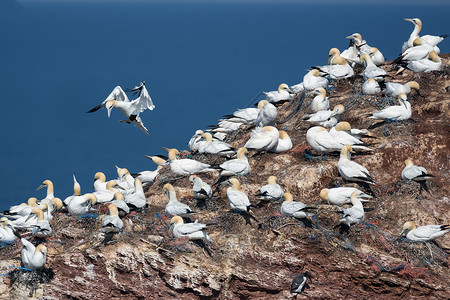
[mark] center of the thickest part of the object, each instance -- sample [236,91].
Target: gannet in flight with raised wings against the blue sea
[131,109]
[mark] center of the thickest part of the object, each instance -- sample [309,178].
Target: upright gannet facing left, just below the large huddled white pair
[351,170]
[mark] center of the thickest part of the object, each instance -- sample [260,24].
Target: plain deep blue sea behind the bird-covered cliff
[199,60]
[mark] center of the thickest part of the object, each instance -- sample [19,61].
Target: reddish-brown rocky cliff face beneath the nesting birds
[259,260]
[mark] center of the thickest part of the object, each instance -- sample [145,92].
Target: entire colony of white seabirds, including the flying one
[261,134]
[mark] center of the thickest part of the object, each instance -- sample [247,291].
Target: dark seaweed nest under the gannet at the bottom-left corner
[31,279]
